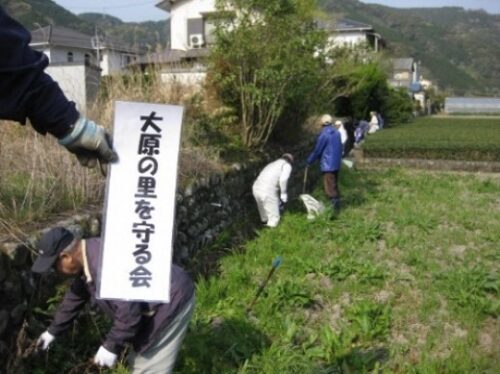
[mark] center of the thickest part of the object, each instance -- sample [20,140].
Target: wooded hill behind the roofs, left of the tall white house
[37,13]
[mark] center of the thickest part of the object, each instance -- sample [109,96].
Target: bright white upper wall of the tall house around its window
[179,15]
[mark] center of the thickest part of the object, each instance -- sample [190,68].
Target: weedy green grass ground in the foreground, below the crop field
[404,280]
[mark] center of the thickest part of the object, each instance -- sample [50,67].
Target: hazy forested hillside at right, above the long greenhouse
[458,49]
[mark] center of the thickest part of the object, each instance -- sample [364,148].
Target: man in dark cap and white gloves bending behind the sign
[155,330]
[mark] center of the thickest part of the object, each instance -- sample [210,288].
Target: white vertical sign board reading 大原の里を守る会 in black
[136,249]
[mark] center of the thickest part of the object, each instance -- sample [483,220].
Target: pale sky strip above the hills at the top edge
[145,10]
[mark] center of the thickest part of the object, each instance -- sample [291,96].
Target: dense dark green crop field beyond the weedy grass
[473,139]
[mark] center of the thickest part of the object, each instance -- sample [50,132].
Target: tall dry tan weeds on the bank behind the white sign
[40,179]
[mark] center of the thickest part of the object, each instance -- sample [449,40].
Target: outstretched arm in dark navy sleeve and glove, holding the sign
[27,92]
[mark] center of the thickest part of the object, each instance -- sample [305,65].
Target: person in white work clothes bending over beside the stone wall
[269,189]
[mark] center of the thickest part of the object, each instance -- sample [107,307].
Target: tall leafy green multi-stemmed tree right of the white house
[264,60]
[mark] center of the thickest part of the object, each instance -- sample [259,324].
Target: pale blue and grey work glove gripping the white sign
[89,142]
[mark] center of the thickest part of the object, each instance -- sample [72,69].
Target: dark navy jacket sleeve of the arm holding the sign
[25,90]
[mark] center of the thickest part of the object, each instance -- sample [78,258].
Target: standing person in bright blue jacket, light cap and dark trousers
[328,150]
